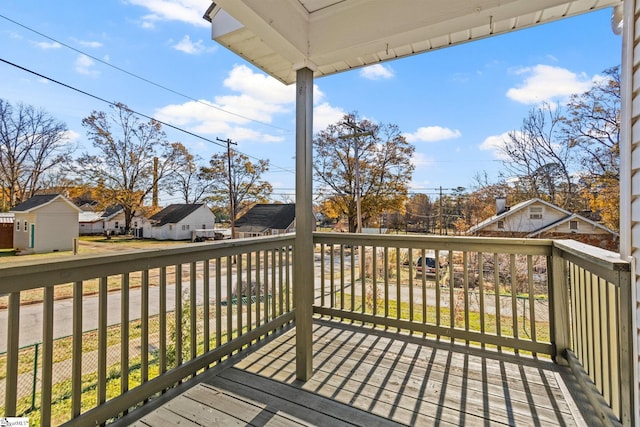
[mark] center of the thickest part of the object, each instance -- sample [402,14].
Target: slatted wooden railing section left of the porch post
[115,330]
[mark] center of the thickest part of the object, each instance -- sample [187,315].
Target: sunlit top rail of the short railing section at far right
[587,255]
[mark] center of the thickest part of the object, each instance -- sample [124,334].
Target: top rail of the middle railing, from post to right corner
[445,243]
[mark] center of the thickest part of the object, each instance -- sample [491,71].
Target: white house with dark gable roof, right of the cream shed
[177,222]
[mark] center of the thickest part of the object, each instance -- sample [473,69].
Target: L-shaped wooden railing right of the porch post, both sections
[561,299]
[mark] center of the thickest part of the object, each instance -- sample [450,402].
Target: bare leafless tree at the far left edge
[33,144]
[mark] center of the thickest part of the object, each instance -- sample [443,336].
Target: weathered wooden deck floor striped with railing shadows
[368,377]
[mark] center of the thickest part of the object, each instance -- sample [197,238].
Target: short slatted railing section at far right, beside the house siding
[600,324]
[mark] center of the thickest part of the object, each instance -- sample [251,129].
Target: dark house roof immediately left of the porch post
[264,216]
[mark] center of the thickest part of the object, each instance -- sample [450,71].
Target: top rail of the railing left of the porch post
[32,273]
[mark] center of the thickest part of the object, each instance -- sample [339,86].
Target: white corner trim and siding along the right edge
[630,197]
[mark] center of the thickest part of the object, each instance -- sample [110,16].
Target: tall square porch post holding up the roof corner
[303,264]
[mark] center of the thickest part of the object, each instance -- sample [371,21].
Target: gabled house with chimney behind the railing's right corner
[538,218]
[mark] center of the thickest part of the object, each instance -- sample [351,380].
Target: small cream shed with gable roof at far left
[45,223]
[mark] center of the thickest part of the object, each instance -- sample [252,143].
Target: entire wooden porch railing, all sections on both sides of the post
[111,335]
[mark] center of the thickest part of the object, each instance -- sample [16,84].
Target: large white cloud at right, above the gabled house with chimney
[544,83]
